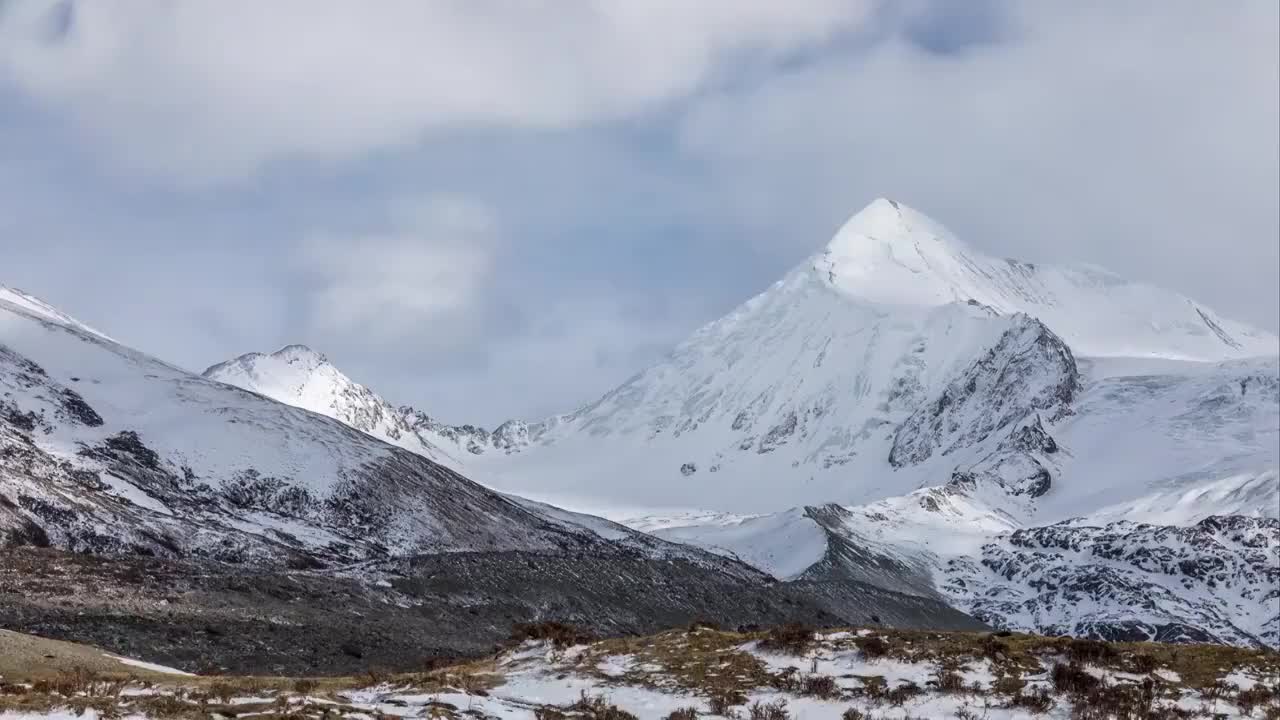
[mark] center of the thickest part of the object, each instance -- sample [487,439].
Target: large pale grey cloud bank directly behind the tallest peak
[1140,136]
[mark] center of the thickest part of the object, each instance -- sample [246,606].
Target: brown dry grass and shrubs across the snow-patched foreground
[1122,681]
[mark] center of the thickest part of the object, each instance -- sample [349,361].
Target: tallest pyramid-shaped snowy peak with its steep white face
[802,394]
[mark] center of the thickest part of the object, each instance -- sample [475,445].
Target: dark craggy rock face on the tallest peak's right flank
[1028,371]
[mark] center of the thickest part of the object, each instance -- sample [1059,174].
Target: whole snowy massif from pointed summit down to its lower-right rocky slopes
[916,403]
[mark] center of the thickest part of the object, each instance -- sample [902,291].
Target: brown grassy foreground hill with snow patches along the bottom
[787,673]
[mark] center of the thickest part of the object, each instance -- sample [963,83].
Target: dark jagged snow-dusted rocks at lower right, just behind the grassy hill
[1218,581]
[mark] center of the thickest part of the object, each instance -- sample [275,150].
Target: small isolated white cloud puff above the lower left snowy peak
[427,265]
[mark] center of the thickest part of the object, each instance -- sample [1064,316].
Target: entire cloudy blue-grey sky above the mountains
[502,208]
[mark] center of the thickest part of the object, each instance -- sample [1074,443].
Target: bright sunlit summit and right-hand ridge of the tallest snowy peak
[893,256]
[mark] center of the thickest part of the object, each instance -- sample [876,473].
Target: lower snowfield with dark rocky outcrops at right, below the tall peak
[1150,513]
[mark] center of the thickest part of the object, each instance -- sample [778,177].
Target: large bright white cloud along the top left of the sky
[203,90]
